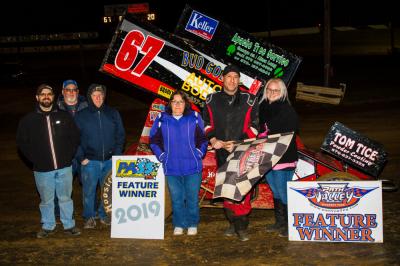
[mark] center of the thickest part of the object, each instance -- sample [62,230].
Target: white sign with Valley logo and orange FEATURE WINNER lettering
[334,211]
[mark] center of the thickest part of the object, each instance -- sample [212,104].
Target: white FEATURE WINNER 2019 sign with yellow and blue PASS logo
[137,197]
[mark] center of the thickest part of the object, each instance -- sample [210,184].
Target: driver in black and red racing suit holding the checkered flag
[231,115]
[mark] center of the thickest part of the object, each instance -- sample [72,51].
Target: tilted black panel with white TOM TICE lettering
[355,149]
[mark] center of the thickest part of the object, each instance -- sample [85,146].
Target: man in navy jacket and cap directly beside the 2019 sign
[102,136]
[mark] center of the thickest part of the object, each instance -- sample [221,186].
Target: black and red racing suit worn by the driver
[232,117]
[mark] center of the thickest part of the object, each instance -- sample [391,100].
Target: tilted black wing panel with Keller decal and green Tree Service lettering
[254,56]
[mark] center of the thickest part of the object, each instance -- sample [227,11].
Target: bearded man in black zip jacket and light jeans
[49,139]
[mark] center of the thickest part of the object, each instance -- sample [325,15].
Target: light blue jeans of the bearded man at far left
[59,183]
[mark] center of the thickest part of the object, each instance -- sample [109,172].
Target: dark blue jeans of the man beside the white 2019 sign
[93,174]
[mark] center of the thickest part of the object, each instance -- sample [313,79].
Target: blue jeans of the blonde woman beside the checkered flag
[277,180]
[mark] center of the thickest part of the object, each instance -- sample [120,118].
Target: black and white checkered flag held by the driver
[248,162]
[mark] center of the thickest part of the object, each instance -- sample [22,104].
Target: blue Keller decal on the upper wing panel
[201,25]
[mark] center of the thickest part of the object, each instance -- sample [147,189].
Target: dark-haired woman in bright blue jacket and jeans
[177,139]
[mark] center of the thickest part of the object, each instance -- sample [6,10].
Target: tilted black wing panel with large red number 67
[160,62]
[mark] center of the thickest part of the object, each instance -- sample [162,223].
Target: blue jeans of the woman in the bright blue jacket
[184,192]
